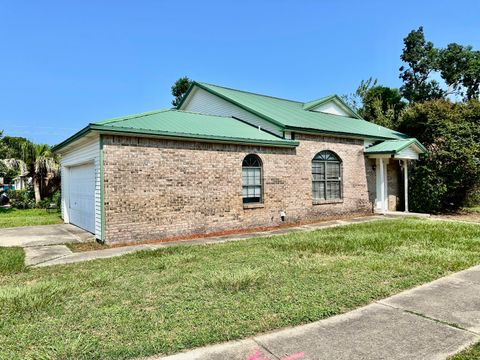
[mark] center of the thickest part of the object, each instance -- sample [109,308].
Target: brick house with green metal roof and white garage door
[226,160]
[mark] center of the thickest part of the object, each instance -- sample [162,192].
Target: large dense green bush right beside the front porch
[451,132]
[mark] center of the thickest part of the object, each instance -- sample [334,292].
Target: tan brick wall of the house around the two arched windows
[158,188]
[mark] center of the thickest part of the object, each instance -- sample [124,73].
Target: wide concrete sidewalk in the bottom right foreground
[432,321]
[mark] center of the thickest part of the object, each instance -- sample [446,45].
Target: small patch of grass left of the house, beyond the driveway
[16,217]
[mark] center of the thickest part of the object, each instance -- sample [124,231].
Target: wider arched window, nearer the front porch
[326,176]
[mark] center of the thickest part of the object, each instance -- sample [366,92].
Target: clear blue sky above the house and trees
[64,64]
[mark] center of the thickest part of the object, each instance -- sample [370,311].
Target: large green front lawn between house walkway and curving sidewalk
[182,297]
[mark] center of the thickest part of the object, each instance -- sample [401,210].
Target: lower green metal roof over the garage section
[184,125]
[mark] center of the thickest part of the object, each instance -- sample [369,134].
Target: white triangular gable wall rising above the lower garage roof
[201,101]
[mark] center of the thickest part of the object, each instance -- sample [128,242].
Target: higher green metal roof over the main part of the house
[290,114]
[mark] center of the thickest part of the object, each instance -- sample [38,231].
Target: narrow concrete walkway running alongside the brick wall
[49,255]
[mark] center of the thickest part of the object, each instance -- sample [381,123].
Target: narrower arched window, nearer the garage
[252,179]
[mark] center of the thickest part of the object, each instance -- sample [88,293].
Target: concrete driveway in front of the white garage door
[43,235]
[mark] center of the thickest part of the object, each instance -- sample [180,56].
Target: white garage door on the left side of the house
[81,188]
